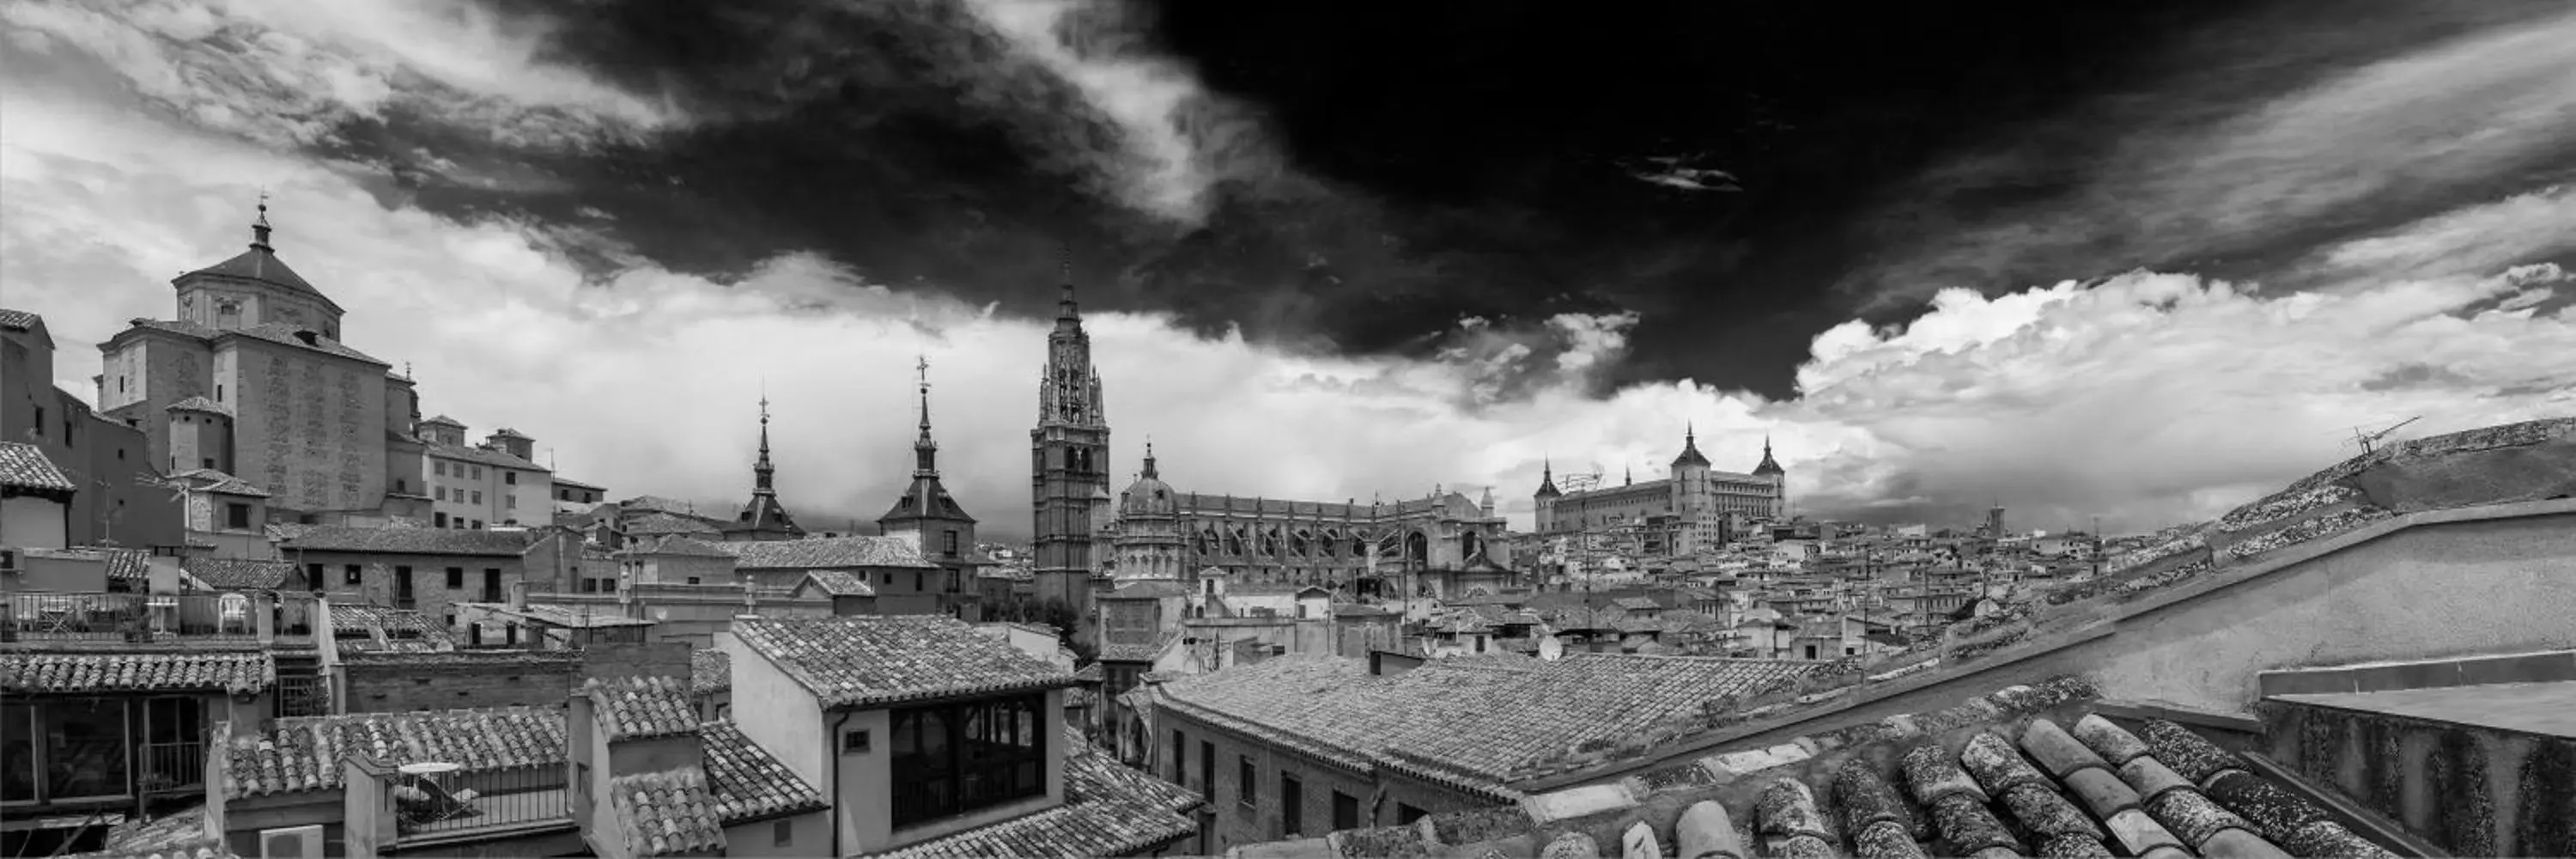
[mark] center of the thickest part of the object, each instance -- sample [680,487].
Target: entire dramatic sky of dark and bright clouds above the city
[2072,259]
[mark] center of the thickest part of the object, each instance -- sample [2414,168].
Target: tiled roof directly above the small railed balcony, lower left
[305,752]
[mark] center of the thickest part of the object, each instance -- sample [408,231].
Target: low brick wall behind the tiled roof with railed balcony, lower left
[401,682]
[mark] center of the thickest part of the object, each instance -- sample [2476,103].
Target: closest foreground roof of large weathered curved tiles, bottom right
[2021,773]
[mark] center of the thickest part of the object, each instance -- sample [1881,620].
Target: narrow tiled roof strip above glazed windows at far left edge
[233,672]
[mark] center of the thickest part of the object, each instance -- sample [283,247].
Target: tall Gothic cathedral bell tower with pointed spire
[1070,458]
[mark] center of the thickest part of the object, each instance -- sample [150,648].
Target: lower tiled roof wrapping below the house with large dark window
[1109,811]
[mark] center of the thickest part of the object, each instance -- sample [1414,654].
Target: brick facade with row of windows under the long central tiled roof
[1235,824]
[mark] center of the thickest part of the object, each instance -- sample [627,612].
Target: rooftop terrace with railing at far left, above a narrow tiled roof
[156,618]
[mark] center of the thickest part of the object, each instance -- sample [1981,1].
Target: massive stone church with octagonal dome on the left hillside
[251,380]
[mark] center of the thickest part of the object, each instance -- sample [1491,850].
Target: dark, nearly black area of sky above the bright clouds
[1439,161]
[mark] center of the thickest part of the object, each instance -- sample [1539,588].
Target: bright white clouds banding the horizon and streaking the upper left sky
[2145,399]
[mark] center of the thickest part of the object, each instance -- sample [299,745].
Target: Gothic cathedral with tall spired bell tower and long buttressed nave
[1155,533]
